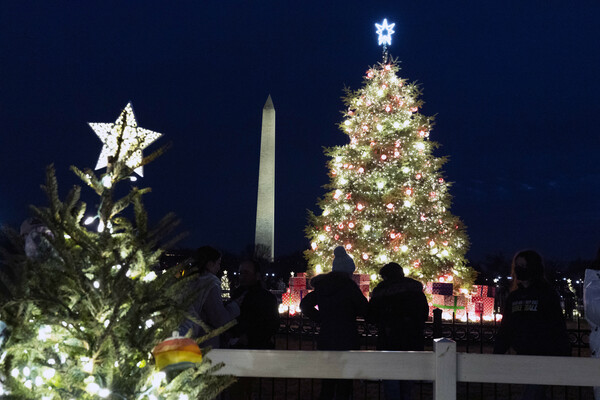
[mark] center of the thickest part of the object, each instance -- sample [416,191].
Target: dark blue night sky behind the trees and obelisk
[514,88]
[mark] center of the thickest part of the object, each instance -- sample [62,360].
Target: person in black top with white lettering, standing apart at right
[532,319]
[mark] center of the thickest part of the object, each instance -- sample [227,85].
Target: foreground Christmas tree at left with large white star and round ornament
[86,306]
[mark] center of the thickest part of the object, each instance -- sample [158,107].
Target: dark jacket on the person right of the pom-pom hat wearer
[399,309]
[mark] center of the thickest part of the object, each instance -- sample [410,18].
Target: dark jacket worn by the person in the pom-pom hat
[339,302]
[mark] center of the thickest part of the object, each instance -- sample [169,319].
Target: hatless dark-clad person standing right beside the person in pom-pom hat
[399,309]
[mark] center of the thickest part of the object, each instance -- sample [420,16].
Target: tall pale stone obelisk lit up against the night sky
[265,207]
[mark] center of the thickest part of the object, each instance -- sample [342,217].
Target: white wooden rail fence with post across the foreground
[444,366]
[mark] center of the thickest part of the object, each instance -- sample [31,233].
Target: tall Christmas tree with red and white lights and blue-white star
[388,200]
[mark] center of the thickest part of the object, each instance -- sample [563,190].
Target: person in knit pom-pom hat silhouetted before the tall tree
[335,303]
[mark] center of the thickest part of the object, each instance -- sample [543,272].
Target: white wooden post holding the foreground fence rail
[444,387]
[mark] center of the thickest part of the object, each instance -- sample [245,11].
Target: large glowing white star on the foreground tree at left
[123,140]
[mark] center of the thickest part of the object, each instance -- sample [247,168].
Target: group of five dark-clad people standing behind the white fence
[532,324]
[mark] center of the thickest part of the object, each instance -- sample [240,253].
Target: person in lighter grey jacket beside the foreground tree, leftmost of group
[207,306]
